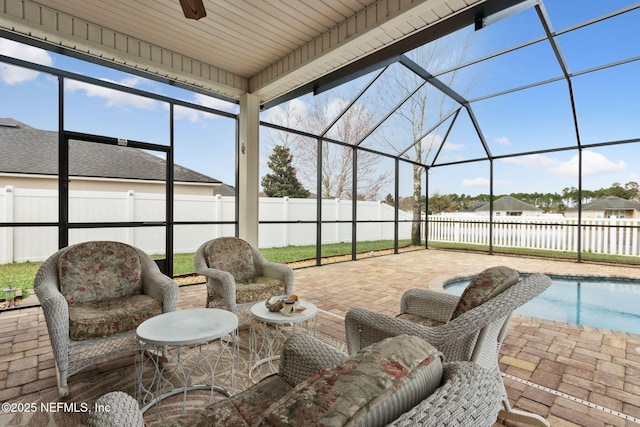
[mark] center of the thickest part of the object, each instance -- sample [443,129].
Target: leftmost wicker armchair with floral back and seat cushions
[93,296]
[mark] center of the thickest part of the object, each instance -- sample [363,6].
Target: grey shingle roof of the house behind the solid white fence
[28,150]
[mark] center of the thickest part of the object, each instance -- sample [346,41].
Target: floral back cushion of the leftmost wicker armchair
[96,271]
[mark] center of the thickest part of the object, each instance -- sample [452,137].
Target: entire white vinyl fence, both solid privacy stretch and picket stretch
[20,244]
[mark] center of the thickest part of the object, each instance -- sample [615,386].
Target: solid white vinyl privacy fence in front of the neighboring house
[20,244]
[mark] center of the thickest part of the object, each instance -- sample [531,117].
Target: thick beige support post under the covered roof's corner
[249,166]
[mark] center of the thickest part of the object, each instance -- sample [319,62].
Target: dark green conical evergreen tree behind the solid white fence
[283,182]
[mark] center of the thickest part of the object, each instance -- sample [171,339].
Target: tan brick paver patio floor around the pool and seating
[571,375]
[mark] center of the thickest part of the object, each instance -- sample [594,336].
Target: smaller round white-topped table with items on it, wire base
[268,330]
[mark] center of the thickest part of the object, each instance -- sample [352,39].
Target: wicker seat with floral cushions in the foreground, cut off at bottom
[399,381]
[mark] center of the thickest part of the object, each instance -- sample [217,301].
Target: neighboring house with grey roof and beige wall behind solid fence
[29,159]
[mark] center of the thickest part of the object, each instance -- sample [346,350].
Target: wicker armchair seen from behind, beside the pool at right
[473,335]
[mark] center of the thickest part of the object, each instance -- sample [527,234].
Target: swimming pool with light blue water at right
[599,302]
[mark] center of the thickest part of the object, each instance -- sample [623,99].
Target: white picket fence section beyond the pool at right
[614,236]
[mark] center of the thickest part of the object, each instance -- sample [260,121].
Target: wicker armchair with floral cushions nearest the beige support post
[238,275]
